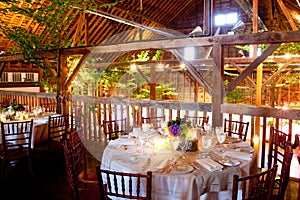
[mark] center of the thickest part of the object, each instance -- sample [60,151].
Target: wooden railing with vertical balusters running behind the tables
[89,112]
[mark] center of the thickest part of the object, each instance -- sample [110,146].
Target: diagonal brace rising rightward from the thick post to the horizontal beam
[251,67]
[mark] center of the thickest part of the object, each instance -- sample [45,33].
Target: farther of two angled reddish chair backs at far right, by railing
[277,144]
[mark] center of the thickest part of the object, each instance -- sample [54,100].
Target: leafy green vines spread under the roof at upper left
[53,16]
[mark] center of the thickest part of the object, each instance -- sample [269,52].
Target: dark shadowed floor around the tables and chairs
[51,183]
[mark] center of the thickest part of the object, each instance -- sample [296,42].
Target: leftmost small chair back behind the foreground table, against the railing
[113,129]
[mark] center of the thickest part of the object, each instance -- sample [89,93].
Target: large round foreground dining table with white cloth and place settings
[176,176]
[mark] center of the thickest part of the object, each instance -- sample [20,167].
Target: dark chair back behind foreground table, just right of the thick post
[236,128]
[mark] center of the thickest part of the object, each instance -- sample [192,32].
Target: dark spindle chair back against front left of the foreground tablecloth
[124,185]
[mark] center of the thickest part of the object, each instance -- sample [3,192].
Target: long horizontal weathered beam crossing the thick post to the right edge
[181,42]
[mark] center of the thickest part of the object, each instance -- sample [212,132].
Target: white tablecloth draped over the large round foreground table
[174,185]
